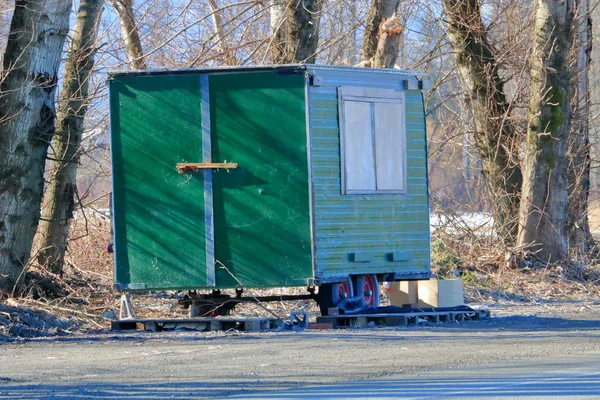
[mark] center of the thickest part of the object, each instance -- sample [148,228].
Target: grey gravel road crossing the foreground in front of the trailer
[283,364]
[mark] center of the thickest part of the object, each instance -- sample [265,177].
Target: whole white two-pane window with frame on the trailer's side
[373,140]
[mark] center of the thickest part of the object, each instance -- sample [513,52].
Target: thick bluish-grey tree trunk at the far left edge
[27,88]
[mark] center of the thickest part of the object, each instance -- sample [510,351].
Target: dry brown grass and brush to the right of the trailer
[488,276]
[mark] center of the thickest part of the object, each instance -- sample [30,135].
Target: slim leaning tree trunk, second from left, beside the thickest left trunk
[59,198]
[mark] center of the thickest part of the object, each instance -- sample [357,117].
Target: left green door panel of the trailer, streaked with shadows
[159,214]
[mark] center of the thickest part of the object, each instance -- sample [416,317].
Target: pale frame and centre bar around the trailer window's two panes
[371,96]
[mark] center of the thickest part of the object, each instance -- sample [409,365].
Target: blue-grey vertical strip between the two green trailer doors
[208,188]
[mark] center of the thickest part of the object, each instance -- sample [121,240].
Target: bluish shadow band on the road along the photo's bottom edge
[543,386]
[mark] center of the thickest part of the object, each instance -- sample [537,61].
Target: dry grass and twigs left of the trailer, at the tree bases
[86,288]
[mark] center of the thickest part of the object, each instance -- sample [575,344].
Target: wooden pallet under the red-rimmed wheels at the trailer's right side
[403,319]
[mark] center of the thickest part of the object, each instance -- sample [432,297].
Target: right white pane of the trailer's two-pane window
[389,143]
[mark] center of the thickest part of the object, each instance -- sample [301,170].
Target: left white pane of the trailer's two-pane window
[359,160]
